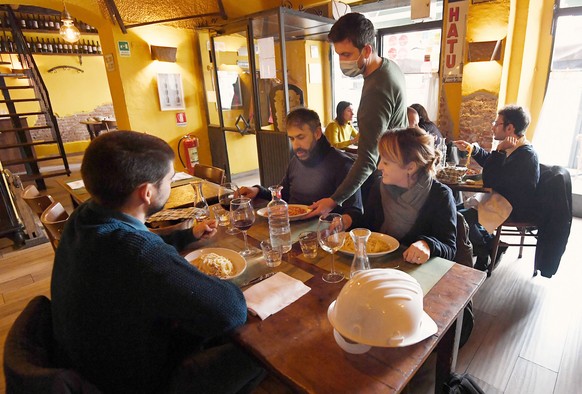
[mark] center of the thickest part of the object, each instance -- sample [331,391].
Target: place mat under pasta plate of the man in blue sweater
[255,264]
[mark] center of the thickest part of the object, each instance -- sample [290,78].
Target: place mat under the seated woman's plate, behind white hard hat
[427,274]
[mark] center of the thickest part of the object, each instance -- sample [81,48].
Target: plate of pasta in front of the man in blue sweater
[220,262]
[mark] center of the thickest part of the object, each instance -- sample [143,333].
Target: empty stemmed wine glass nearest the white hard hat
[331,237]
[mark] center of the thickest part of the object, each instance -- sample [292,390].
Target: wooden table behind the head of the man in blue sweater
[181,194]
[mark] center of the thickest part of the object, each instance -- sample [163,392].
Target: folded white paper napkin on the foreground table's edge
[273,294]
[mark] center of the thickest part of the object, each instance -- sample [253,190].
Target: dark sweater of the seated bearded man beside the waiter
[307,181]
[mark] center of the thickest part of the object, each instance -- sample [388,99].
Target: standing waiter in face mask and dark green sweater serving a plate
[382,105]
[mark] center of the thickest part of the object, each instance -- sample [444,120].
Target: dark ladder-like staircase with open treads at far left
[23,87]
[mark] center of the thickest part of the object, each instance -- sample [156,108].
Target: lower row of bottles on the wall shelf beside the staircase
[53,46]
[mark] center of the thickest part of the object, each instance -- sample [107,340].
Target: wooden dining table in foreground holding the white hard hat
[297,343]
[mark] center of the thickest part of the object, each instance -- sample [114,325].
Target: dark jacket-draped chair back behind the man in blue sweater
[30,362]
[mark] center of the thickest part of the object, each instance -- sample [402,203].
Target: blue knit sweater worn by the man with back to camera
[121,294]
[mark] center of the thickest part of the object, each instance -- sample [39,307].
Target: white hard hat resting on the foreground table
[380,307]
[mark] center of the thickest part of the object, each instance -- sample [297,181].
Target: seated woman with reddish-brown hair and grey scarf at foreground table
[407,202]
